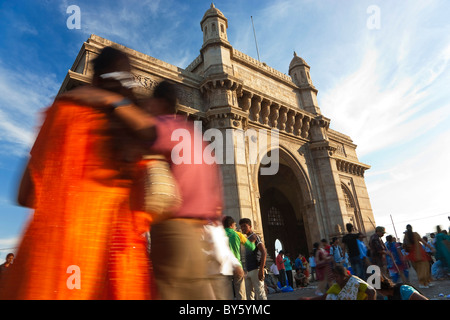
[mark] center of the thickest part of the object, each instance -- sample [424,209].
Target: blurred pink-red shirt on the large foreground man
[200,183]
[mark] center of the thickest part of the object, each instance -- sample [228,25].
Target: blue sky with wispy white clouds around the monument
[386,85]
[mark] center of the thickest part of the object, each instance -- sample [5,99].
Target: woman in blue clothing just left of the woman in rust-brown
[396,262]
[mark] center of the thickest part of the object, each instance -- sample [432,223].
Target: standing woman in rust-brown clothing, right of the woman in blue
[417,255]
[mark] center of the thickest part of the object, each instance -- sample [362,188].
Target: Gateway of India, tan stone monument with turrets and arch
[319,185]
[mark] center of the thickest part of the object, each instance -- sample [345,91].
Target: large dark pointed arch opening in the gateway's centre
[287,207]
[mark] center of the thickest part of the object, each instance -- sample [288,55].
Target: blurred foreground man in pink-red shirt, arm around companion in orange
[178,247]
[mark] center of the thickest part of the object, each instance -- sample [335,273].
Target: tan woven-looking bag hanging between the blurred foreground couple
[155,190]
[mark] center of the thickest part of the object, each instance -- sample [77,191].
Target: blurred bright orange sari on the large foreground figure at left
[83,242]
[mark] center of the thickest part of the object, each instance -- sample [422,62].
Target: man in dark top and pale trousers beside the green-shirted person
[255,261]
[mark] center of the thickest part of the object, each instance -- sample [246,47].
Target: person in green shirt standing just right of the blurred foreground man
[235,239]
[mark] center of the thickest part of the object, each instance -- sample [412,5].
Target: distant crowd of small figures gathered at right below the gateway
[337,266]
